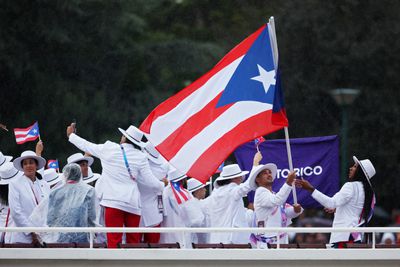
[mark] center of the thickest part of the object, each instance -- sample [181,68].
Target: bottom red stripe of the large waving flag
[209,161]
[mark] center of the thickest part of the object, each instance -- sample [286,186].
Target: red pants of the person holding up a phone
[119,218]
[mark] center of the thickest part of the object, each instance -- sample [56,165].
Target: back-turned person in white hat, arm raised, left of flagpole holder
[226,204]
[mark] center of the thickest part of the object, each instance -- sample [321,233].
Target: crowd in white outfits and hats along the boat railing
[138,188]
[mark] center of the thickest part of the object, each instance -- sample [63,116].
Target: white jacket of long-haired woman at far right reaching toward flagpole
[349,202]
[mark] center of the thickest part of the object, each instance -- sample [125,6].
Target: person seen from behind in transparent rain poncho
[72,205]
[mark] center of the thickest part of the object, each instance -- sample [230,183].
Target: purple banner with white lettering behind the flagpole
[315,159]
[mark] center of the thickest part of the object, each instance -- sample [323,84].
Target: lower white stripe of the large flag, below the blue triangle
[195,147]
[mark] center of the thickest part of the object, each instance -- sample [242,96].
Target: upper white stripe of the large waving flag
[166,124]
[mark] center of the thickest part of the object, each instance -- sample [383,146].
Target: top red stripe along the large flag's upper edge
[173,101]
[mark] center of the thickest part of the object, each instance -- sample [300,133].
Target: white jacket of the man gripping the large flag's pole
[268,209]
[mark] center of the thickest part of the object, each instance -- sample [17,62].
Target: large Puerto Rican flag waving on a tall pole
[235,102]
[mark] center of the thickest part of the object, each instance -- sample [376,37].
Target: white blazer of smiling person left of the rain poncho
[22,202]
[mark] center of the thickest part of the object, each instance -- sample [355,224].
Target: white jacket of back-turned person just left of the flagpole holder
[227,210]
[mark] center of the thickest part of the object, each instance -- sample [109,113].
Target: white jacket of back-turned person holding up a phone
[119,190]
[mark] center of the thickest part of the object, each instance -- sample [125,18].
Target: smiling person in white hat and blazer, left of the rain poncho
[26,192]
